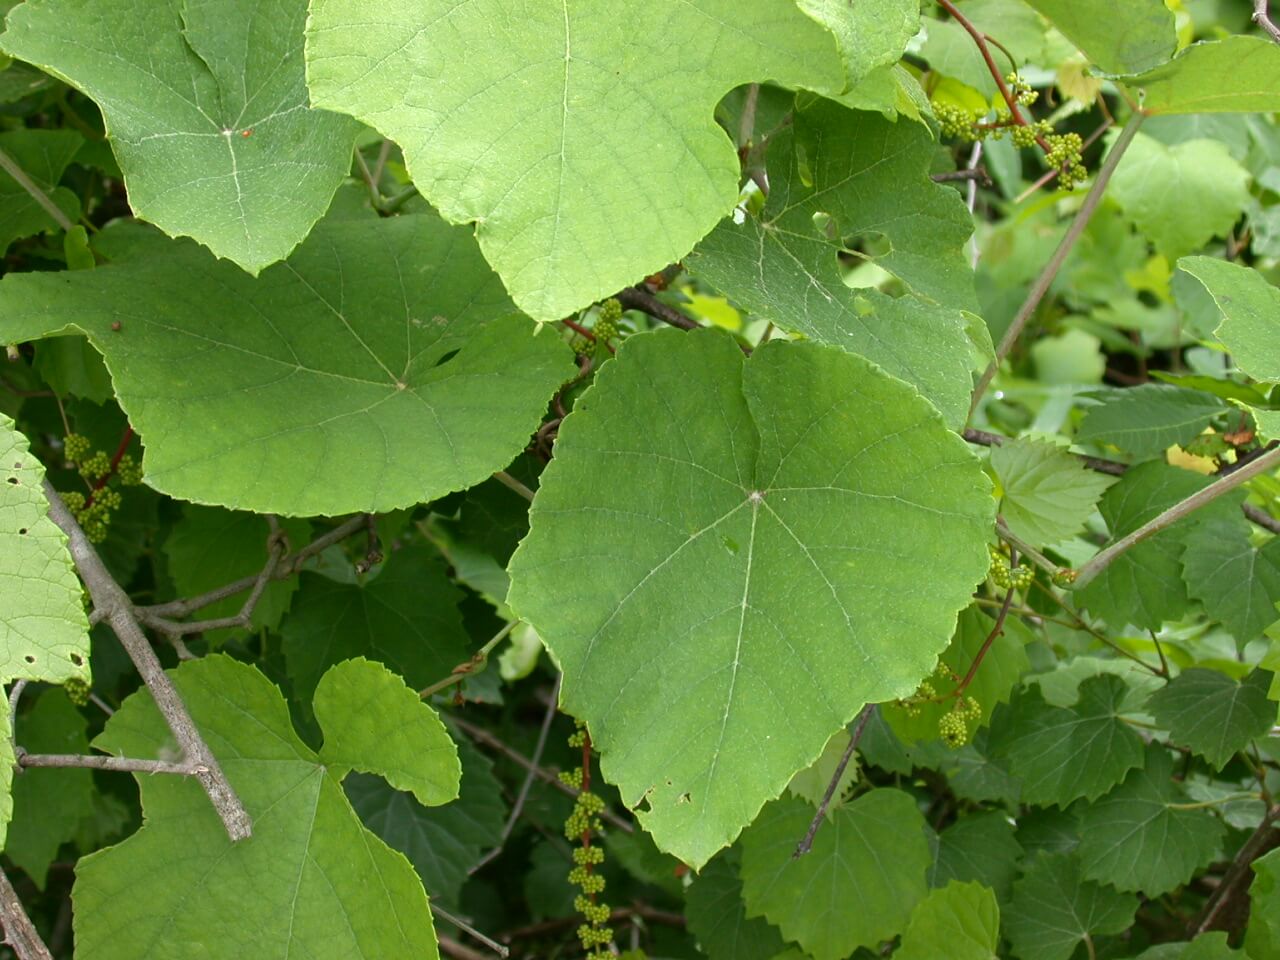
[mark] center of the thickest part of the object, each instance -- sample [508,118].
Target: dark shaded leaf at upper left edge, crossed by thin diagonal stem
[43,156]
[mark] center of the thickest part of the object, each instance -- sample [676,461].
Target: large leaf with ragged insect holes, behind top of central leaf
[784,266]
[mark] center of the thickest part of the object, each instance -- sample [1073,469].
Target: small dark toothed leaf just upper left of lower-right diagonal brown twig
[1136,840]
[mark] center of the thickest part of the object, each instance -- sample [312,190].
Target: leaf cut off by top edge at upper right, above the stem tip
[1127,38]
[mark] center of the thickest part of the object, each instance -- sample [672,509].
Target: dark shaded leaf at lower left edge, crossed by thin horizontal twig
[48,804]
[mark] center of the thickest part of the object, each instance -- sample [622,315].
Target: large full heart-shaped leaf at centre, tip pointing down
[732,515]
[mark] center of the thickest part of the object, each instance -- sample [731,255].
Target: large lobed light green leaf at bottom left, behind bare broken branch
[312,881]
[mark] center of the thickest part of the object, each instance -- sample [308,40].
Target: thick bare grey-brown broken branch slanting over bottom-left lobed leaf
[117,610]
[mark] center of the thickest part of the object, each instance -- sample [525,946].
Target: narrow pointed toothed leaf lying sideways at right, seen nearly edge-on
[1149,419]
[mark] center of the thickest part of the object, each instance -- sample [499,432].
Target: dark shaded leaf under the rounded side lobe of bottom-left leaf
[442,843]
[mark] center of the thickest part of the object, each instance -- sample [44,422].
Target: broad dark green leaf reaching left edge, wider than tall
[360,376]
